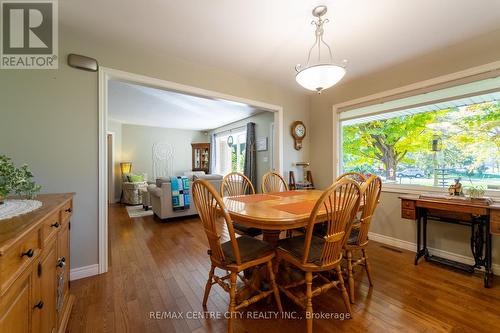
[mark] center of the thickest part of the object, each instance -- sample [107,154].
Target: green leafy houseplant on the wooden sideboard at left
[16,180]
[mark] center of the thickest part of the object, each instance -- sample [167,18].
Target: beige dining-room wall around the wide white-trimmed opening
[49,119]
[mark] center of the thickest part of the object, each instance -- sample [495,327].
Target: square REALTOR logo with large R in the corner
[29,38]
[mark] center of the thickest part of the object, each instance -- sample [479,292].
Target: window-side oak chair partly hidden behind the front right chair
[358,238]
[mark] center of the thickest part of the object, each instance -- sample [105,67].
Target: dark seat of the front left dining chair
[250,249]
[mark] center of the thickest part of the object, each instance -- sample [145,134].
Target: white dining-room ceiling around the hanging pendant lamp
[266,38]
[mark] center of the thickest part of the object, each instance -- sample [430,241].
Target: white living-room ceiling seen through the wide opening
[139,105]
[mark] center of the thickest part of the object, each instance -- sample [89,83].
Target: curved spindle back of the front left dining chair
[210,206]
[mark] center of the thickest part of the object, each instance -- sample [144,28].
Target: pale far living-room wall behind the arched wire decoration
[138,142]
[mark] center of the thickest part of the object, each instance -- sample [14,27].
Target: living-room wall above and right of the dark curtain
[263,123]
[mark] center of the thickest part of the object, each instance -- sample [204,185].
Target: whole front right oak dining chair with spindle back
[318,256]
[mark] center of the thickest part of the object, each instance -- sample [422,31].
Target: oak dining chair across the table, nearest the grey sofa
[233,184]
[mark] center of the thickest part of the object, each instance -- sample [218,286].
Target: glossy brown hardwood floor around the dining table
[162,267]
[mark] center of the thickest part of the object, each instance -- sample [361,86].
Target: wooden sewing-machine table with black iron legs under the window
[481,217]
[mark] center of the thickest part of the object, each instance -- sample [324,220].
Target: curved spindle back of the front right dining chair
[341,202]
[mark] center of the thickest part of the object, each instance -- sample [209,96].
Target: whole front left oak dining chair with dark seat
[233,256]
